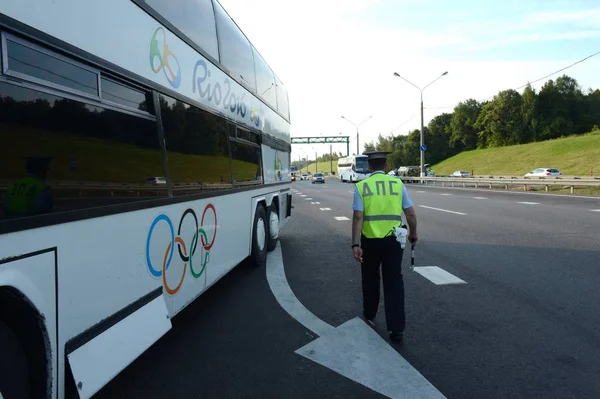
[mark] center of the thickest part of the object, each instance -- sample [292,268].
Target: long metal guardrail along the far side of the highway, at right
[508,181]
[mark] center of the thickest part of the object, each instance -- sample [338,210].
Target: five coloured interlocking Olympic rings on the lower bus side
[182,249]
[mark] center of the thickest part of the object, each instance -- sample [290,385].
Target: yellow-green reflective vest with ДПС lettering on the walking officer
[381,196]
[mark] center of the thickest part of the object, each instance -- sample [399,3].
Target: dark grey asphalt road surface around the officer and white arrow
[524,325]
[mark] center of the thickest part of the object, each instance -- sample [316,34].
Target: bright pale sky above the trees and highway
[338,57]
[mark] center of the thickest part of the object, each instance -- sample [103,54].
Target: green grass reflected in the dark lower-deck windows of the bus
[91,159]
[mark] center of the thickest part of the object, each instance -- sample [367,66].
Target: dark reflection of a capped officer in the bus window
[30,195]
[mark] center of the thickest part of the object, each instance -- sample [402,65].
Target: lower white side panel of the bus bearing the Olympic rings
[99,273]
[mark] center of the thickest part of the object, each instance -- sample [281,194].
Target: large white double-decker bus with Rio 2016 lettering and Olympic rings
[145,152]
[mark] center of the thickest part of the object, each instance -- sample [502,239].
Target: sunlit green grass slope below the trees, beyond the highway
[573,156]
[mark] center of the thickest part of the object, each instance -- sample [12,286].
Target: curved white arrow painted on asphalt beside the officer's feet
[353,349]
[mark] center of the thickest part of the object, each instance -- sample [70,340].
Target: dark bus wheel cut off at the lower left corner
[14,370]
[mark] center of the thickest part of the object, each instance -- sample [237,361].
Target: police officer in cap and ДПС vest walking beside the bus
[379,201]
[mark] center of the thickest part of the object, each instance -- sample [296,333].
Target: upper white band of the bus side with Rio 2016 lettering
[107,23]
